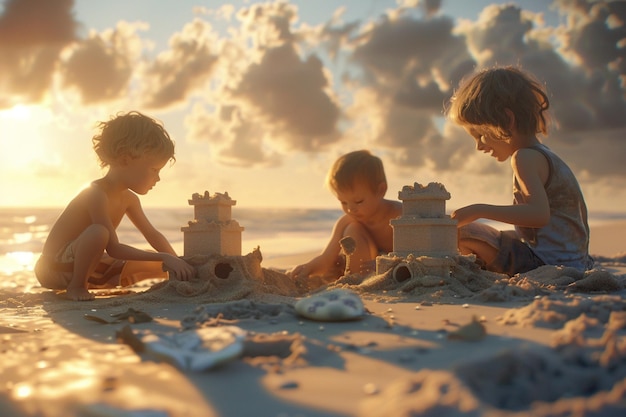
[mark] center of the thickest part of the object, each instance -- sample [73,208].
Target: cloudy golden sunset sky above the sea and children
[262,97]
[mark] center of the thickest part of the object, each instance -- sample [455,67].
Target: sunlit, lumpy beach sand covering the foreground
[547,343]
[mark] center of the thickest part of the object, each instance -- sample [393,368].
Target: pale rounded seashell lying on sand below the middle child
[334,305]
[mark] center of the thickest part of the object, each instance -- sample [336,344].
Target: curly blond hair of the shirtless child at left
[132,134]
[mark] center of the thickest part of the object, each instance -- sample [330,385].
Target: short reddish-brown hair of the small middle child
[355,167]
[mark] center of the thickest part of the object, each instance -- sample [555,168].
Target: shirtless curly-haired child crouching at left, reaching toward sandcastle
[135,148]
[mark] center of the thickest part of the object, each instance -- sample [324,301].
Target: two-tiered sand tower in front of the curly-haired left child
[212,231]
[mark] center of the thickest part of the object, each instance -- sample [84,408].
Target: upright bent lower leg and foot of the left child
[89,247]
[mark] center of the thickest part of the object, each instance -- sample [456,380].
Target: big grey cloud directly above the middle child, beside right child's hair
[407,67]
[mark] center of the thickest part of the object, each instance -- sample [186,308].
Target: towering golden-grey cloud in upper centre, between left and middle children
[270,98]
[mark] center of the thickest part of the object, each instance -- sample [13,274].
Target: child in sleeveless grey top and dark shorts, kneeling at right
[503,109]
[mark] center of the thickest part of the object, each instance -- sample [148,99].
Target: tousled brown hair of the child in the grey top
[482,98]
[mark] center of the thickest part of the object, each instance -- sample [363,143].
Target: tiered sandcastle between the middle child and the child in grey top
[423,231]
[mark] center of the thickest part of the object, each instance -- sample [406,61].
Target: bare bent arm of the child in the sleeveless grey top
[531,169]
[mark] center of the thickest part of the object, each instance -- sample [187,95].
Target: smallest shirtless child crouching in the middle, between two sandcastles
[358,181]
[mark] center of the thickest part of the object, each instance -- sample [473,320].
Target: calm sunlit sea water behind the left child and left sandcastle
[277,231]
